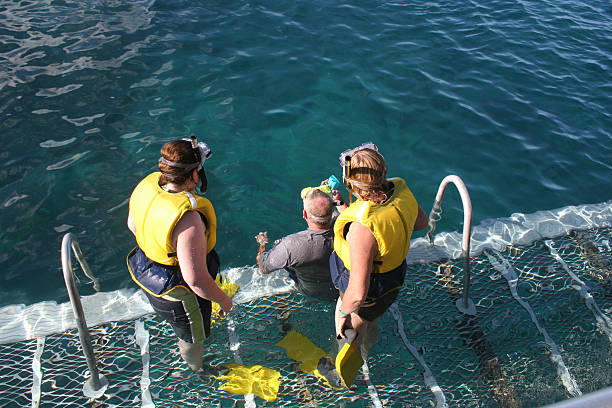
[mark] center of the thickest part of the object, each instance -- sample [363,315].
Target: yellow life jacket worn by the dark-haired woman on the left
[156,212]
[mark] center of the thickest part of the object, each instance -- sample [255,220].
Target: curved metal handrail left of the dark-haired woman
[96,385]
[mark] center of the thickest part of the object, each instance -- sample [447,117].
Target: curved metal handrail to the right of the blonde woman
[465,304]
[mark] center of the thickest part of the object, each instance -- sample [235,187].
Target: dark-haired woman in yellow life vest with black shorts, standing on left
[175,262]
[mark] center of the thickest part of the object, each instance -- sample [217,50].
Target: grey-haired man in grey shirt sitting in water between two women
[305,254]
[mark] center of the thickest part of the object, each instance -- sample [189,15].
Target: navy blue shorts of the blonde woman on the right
[383,290]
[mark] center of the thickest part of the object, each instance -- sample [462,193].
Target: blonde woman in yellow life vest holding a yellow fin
[371,241]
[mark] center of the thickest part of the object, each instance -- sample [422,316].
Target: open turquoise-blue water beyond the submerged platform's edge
[514,97]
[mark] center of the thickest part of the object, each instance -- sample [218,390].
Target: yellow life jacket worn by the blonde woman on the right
[391,223]
